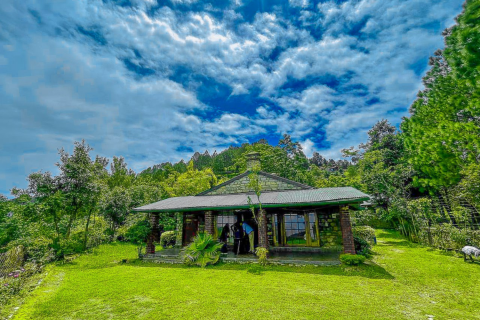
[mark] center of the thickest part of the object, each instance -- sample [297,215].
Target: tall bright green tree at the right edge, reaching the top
[443,133]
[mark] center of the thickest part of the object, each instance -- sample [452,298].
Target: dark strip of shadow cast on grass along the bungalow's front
[368,270]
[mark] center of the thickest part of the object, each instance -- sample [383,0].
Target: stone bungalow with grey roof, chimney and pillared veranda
[295,217]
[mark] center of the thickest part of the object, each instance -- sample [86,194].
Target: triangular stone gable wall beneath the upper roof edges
[267,183]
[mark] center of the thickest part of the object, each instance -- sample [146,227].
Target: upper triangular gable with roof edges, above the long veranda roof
[271,183]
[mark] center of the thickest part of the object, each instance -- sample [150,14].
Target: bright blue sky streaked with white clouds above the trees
[152,80]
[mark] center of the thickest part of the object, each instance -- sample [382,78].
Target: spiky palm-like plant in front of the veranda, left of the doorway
[202,251]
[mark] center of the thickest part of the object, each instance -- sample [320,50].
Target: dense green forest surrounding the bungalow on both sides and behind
[423,176]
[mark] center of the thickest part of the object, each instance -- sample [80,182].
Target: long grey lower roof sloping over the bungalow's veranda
[291,198]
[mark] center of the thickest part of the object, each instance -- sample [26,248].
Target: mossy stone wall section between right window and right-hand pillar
[329,227]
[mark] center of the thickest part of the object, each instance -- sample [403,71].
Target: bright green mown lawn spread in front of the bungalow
[405,281]
